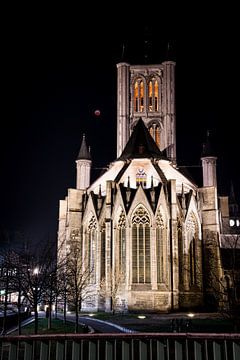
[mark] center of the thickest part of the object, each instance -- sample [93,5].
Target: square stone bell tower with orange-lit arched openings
[147,92]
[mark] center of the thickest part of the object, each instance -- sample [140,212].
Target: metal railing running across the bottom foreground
[137,346]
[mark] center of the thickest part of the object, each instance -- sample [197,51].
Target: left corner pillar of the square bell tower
[123,107]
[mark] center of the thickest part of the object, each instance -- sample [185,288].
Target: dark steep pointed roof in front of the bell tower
[141,144]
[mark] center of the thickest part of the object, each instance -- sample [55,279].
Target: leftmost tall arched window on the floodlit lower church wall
[91,248]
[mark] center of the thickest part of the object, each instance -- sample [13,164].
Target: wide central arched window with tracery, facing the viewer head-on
[141,246]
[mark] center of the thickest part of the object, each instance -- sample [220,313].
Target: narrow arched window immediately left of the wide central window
[121,236]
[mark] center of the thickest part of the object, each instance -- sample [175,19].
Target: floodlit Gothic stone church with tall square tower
[150,237]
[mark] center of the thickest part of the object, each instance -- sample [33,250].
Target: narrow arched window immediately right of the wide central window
[160,240]
